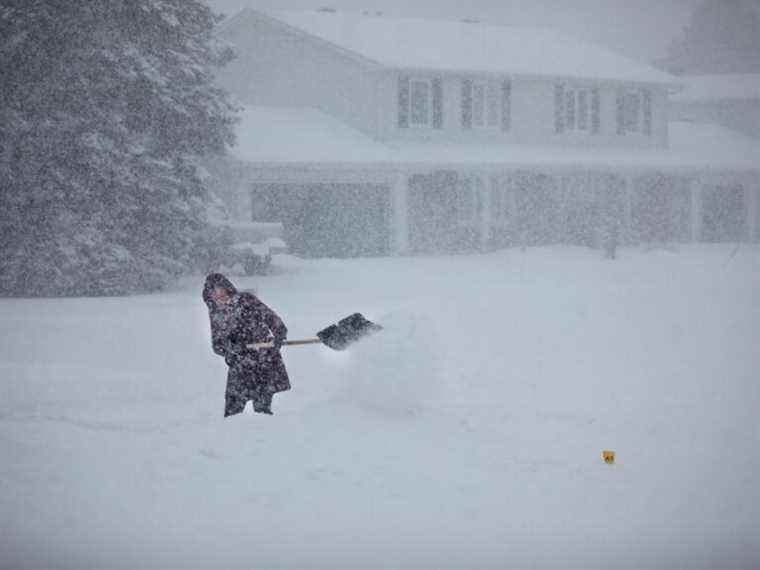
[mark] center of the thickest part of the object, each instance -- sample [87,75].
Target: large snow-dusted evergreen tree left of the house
[106,108]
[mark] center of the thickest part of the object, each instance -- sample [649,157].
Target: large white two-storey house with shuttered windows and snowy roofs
[369,135]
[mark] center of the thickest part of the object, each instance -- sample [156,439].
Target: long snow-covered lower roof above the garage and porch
[304,136]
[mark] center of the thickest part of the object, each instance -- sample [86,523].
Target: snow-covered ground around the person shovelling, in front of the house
[468,434]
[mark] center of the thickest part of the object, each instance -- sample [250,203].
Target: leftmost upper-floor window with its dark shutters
[420,102]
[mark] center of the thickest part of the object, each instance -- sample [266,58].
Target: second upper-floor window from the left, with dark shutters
[486,104]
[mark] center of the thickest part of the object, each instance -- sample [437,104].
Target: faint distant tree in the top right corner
[722,37]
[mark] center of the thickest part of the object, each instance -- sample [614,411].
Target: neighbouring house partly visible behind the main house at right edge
[732,100]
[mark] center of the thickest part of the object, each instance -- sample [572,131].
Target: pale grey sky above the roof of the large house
[638,28]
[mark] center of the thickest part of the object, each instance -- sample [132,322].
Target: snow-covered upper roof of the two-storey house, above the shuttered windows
[466,46]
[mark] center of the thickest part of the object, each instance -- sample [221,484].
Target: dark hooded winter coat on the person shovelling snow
[246,320]
